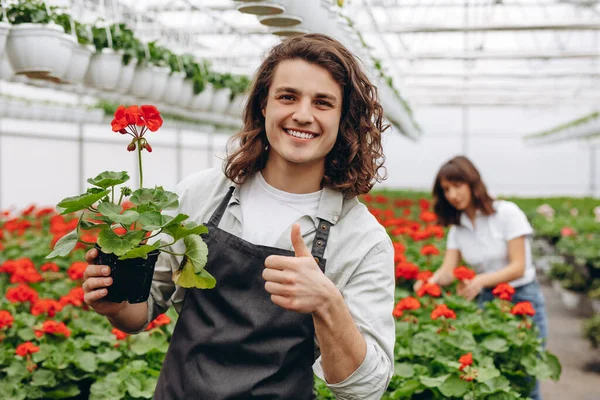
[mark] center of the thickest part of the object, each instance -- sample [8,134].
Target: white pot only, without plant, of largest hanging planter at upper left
[36,50]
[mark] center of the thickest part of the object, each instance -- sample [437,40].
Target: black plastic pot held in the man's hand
[132,278]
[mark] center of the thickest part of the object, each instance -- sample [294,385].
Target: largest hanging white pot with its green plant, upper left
[36,46]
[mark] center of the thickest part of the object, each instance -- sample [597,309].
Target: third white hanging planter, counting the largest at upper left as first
[104,70]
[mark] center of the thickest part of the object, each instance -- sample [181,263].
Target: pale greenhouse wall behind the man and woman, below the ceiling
[39,161]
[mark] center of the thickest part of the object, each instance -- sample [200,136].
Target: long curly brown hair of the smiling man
[355,160]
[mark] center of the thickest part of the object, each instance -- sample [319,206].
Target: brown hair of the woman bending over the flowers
[459,169]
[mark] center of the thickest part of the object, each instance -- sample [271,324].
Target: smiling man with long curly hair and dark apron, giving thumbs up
[305,274]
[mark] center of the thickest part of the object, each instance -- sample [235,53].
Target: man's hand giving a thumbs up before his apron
[297,283]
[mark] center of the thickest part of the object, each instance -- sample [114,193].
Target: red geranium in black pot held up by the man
[127,235]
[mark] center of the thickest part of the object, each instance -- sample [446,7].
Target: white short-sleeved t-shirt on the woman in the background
[485,245]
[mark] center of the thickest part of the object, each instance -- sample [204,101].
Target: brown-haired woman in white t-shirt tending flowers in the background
[492,236]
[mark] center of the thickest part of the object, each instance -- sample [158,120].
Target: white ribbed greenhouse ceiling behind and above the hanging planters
[438,52]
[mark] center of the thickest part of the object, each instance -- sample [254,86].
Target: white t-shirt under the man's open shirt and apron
[267,212]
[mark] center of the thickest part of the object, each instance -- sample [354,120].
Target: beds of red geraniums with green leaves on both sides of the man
[53,347]
